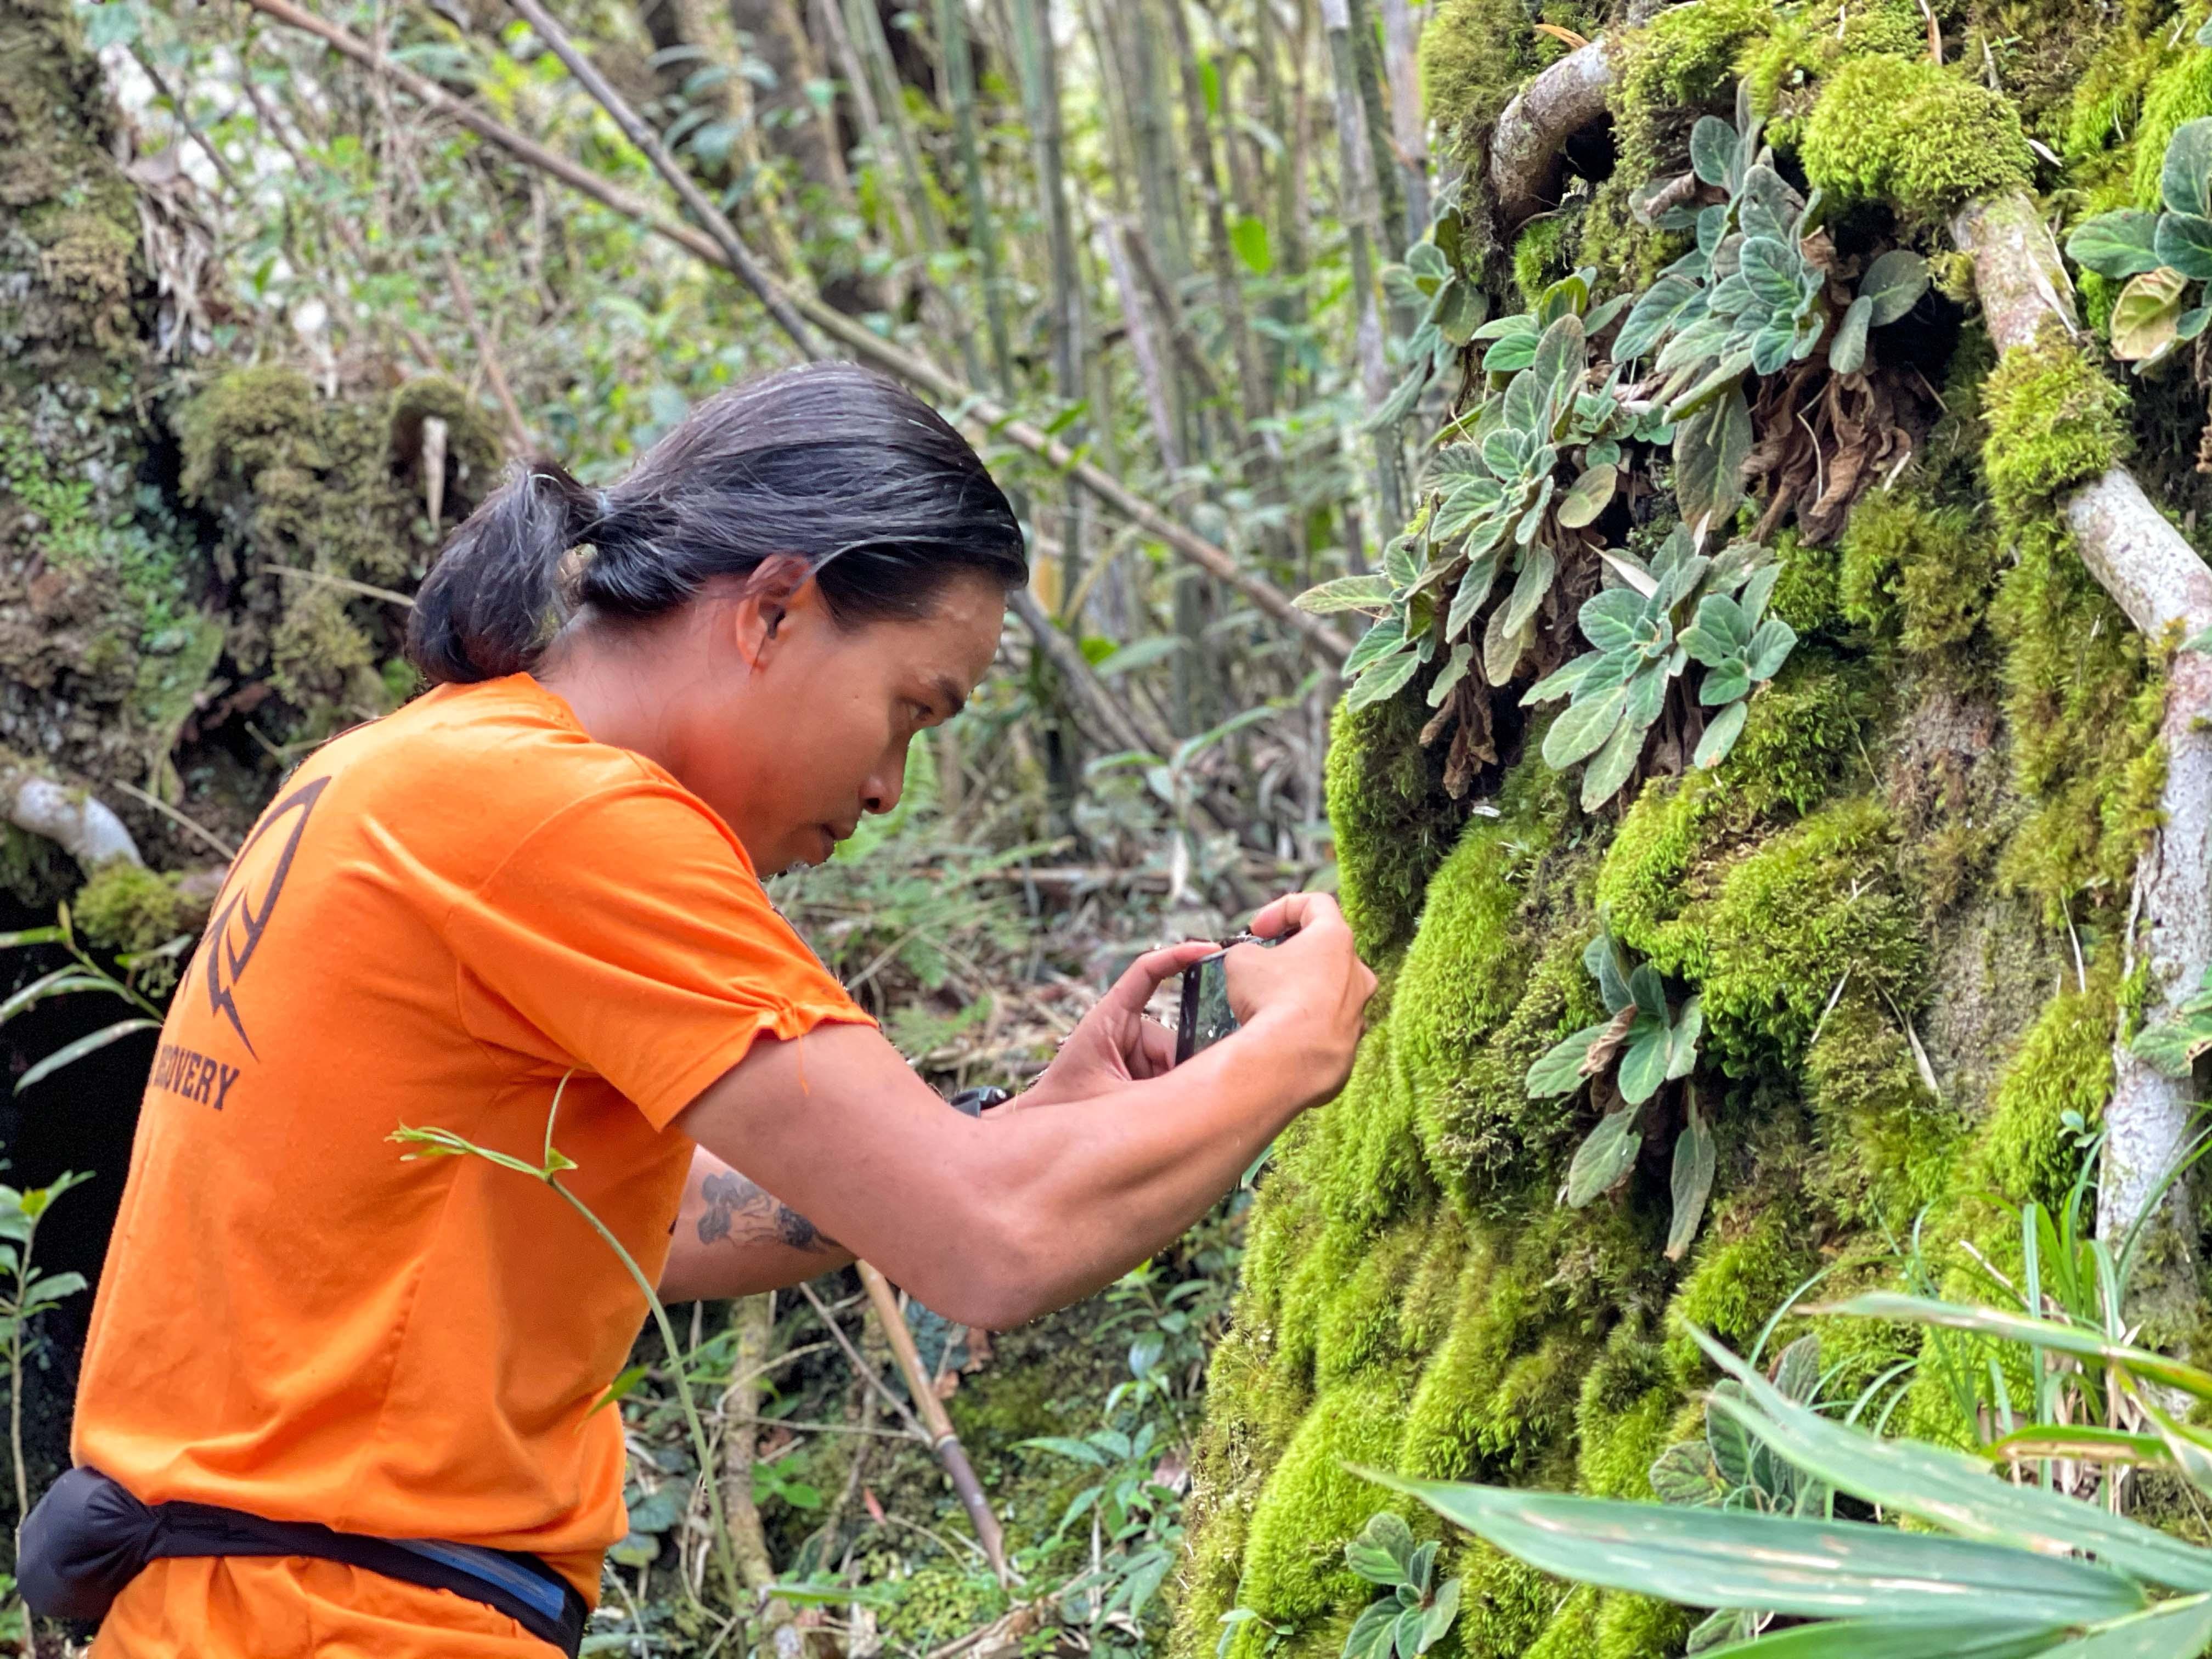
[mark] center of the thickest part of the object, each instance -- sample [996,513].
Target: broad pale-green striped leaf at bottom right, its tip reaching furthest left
[1795,1567]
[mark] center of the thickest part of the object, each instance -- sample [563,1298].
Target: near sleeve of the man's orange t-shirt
[632,932]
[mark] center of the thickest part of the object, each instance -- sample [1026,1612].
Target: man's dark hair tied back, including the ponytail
[833,463]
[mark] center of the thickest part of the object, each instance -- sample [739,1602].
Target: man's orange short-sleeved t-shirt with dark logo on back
[437,919]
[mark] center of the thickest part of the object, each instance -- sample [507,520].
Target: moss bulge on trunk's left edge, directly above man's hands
[1392,820]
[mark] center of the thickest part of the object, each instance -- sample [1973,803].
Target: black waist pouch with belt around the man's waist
[87,1538]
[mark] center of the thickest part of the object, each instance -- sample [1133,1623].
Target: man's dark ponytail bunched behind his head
[492,601]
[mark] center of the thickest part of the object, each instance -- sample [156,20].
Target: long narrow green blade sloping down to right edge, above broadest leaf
[1952,1490]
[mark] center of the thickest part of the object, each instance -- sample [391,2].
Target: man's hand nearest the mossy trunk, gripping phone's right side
[1308,992]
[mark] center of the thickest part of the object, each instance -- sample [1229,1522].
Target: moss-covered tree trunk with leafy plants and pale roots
[1939,884]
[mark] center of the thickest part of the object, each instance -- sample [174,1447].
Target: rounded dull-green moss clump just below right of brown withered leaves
[1917,572]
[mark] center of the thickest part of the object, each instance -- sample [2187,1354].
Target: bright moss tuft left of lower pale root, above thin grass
[2065,1065]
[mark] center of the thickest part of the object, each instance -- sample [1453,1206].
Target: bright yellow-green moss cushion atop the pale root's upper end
[1912,134]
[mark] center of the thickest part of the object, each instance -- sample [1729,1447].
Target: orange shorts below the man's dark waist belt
[291,1607]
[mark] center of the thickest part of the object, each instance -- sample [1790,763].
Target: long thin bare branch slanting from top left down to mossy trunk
[963,401]
